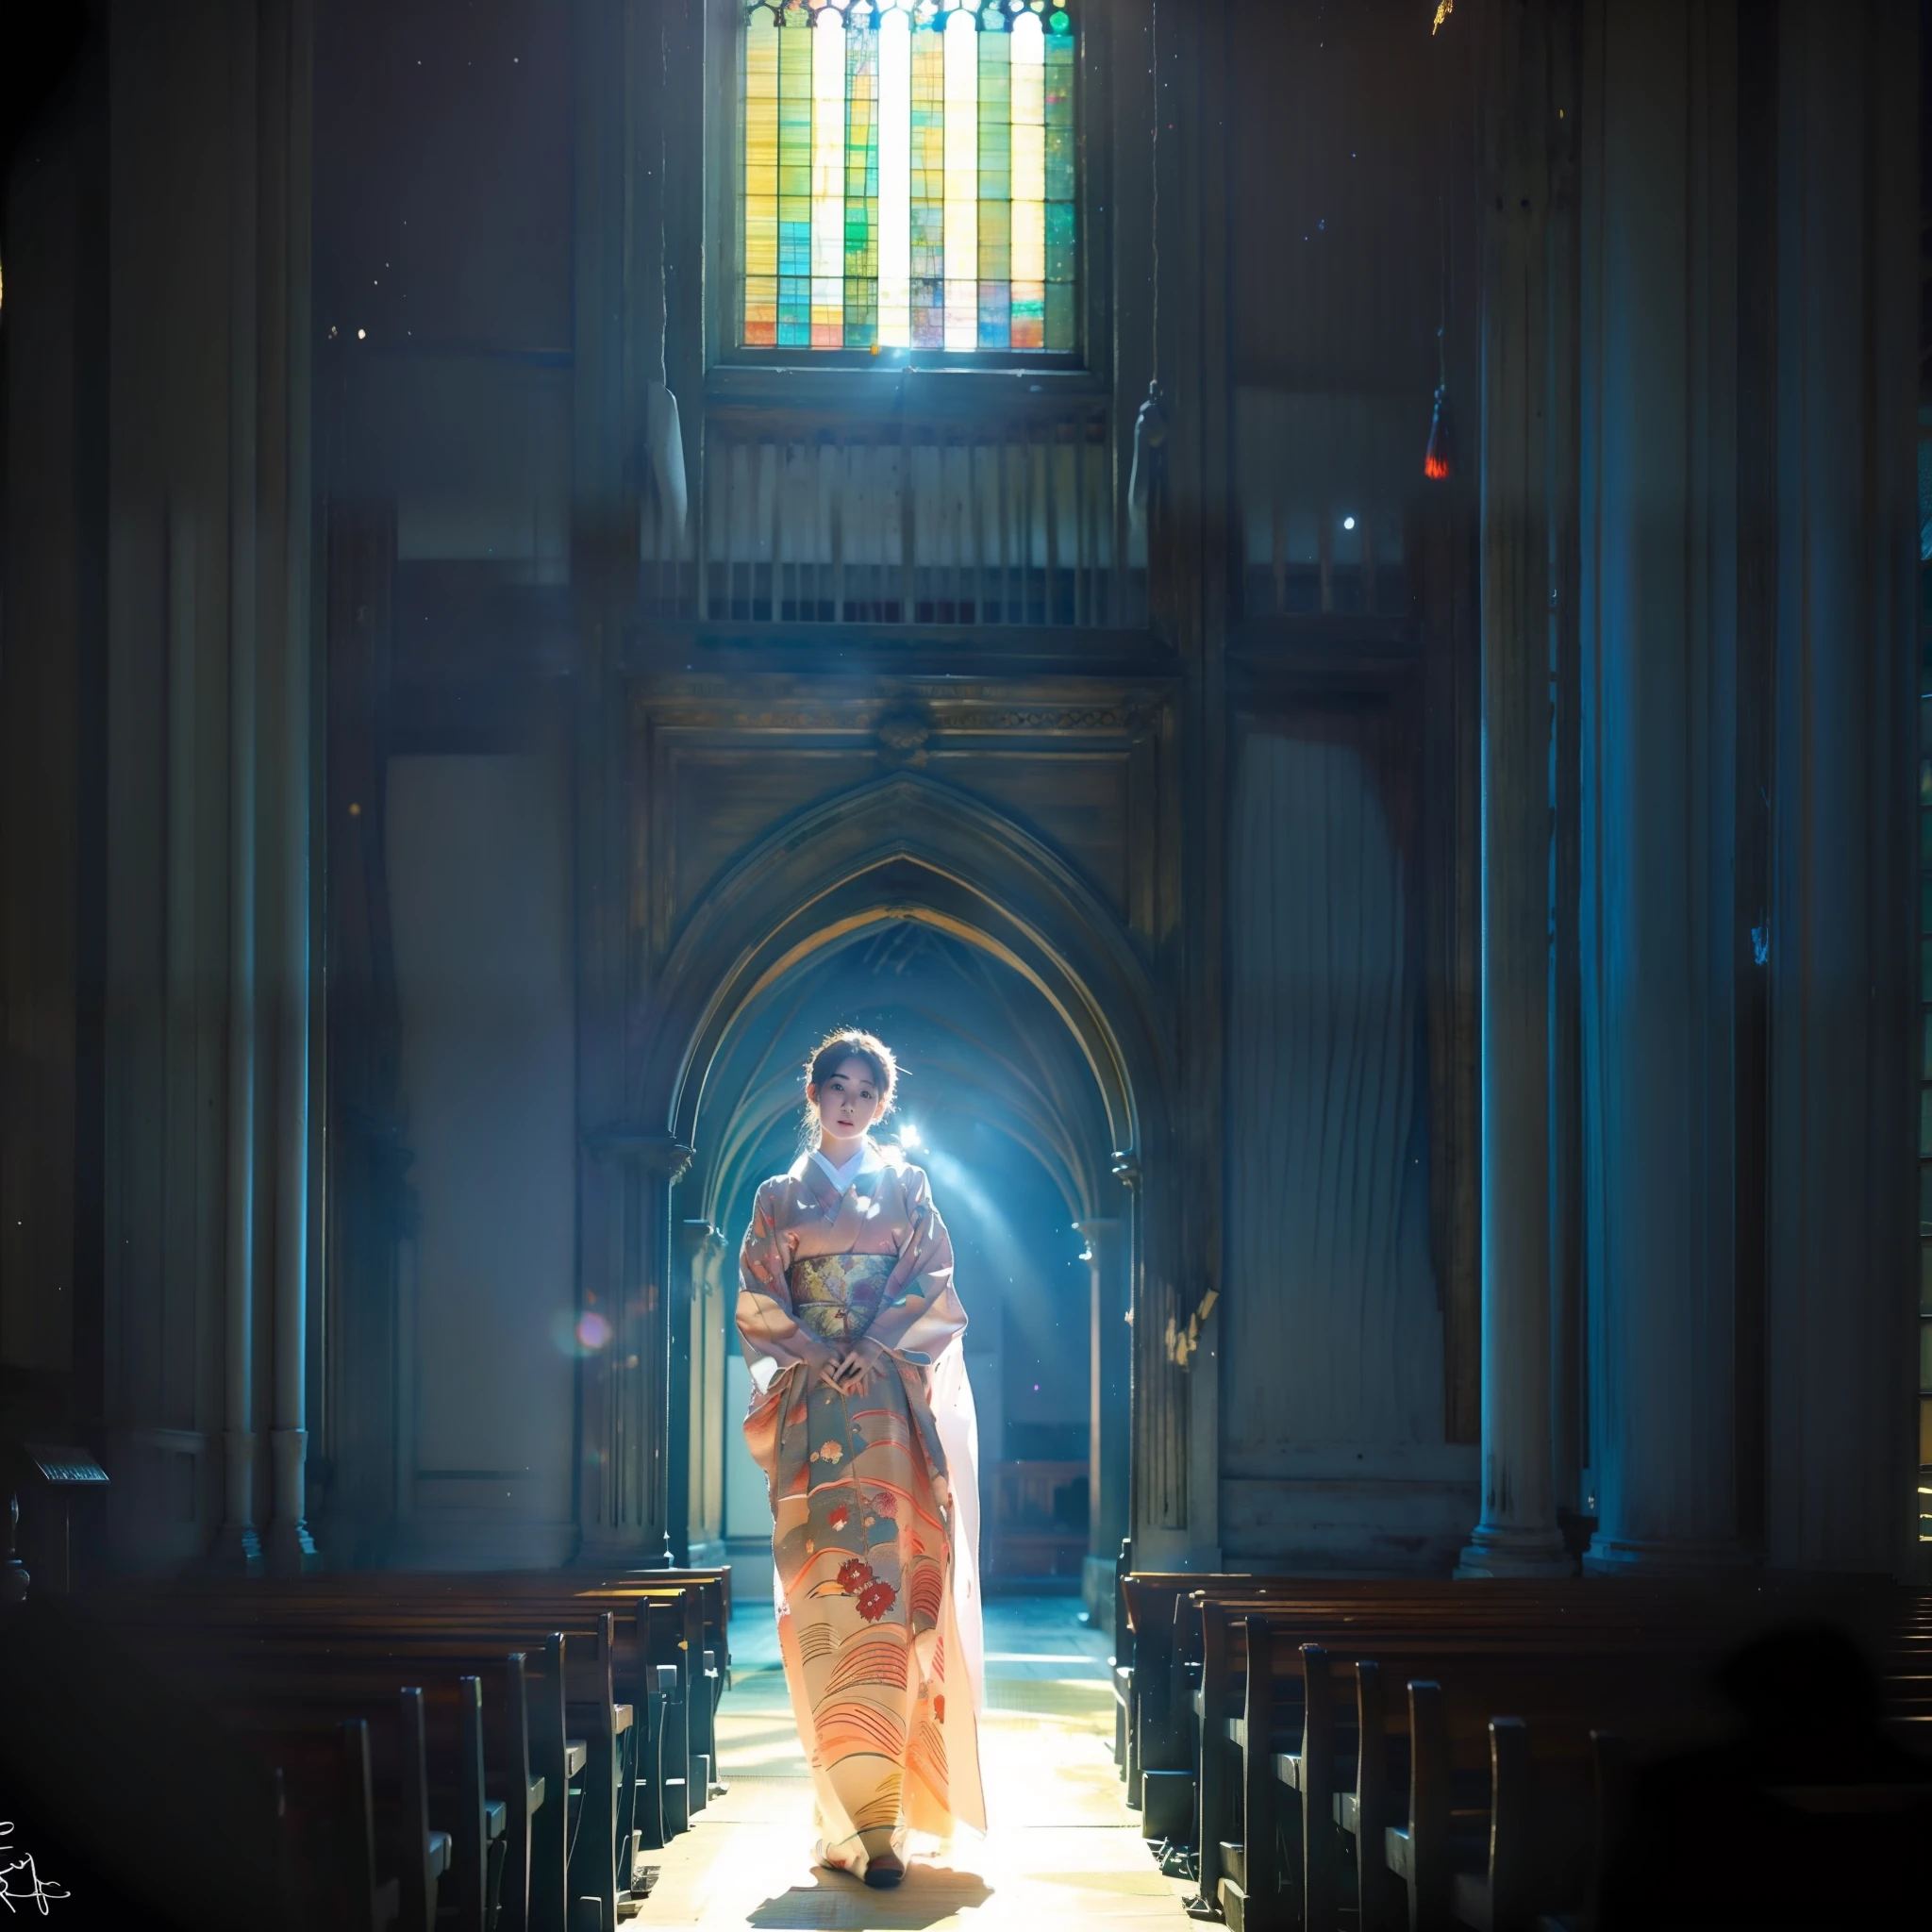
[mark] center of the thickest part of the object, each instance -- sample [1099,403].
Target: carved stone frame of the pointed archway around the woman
[899,849]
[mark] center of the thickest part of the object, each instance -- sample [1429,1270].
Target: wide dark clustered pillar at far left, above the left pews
[210,718]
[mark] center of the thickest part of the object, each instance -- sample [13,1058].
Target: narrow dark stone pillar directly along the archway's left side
[625,1201]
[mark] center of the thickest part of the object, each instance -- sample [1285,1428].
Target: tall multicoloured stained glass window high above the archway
[909,175]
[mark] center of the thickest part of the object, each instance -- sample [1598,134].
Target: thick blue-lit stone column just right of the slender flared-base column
[1661,743]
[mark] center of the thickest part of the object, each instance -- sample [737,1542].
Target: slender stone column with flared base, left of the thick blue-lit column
[1518,1535]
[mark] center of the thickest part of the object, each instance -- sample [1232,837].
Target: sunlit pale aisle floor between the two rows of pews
[1062,1850]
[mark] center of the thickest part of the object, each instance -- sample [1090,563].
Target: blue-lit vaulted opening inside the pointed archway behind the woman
[1004,1114]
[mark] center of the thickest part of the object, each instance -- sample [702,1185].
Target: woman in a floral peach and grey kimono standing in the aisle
[863,1423]
